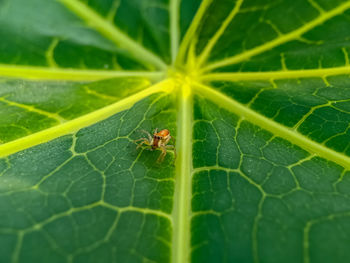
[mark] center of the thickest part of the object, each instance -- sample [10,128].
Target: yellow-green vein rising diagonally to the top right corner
[281,39]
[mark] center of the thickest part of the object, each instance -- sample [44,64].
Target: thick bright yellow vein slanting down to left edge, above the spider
[81,122]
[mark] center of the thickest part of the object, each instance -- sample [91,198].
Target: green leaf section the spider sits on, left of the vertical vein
[91,196]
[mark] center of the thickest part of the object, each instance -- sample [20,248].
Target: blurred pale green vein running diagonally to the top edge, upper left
[110,31]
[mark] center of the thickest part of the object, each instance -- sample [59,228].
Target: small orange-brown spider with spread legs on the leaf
[159,140]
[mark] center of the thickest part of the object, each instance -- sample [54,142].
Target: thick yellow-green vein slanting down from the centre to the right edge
[273,127]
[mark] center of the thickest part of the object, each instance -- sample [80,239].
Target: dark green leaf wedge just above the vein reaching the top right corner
[259,22]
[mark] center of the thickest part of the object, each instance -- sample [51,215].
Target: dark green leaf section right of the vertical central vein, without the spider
[278,204]
